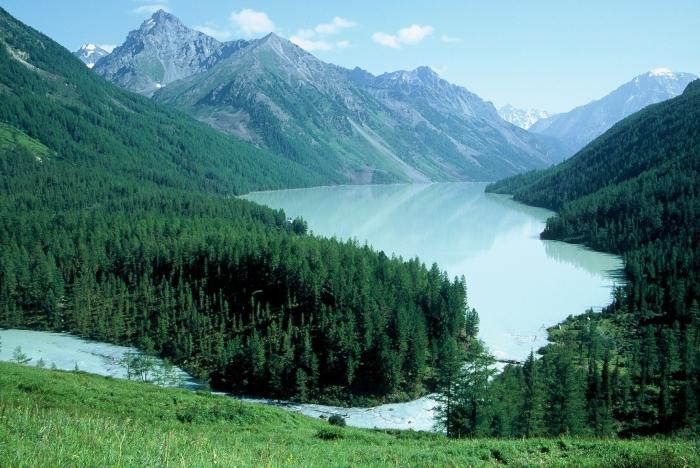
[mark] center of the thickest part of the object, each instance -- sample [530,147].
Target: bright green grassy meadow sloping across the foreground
[55,418]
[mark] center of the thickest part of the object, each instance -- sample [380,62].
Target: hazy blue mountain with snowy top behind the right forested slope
[581,125]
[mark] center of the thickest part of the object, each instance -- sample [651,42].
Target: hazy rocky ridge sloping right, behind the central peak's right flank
[455,123]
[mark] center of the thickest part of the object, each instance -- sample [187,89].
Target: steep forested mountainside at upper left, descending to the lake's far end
[47,94]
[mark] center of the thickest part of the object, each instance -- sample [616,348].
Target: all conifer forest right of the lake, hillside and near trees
[634,368]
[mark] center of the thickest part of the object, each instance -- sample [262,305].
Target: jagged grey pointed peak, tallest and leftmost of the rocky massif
[161,51]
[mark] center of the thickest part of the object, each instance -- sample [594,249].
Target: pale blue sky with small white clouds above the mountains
[545,54]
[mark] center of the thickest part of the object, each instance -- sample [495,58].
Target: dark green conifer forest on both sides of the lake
[120,223]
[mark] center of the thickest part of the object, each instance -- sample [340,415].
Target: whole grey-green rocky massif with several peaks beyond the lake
[346,124]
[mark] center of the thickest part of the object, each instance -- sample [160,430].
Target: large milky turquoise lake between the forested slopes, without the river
[519,284]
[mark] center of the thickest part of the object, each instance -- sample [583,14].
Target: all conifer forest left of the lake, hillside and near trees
[119,224]
